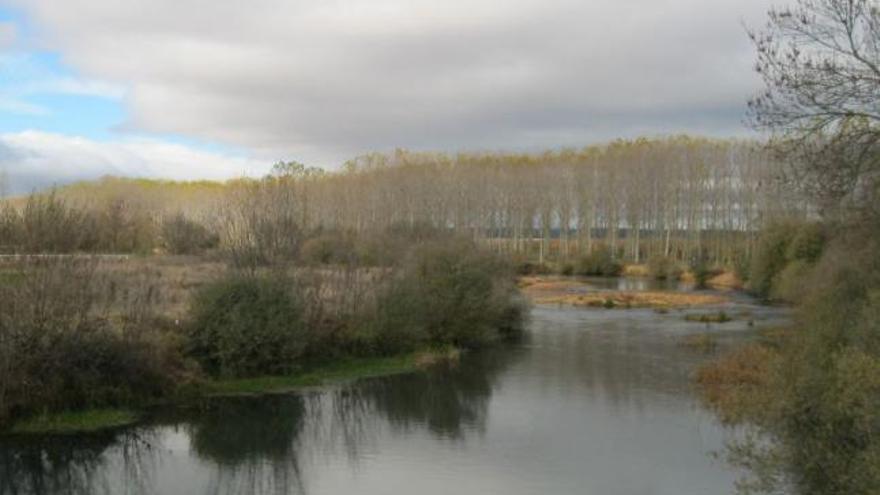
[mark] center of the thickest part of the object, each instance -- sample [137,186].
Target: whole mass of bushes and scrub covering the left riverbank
[82,332]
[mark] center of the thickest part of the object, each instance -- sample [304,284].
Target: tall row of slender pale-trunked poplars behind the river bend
[677,197]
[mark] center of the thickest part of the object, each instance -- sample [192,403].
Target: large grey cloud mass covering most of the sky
[320,80]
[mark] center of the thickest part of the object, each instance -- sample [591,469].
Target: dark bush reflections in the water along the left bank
[255,445]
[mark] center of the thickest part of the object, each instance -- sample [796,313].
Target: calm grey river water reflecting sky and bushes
[594,401]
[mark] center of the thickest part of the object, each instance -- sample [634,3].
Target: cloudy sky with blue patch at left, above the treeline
[201,89]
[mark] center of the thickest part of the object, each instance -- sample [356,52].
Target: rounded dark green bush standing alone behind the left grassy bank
[247,326]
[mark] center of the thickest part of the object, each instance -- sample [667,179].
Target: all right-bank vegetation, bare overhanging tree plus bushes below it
[814,389]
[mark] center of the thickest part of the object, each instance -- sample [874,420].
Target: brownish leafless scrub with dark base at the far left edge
[66,343]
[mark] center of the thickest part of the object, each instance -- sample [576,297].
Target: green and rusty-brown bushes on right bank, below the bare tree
[817,392]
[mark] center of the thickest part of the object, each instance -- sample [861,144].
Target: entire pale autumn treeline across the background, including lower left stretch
[680,198]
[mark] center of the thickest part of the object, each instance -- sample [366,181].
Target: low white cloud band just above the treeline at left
[35,159]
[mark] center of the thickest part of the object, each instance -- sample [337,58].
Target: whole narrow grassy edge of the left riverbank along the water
[324,375]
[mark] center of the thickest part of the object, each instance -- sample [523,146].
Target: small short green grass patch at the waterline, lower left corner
[76,422]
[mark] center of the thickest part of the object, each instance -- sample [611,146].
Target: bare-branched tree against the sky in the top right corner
[820,61]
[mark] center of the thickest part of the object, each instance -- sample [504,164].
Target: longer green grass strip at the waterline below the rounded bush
[341,371]
